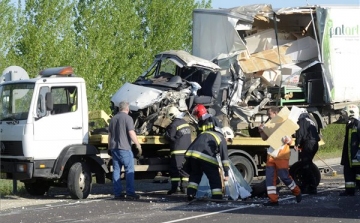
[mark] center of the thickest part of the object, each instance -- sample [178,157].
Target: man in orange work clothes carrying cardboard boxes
[278,167]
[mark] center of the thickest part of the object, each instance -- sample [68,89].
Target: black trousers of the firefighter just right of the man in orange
[309,149]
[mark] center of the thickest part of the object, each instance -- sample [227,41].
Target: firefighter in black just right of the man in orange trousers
[307,143]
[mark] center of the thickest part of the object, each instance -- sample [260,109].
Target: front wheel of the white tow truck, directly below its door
[79,181]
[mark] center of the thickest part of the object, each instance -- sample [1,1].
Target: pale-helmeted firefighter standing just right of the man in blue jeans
[179,135]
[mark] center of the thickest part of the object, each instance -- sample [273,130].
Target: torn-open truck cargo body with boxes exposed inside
[305,56]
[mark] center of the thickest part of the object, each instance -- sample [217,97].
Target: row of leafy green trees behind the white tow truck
[107,42]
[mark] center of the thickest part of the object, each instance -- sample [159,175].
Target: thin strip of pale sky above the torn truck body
[280,3]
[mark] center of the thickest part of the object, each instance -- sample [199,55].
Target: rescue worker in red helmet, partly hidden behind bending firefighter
[205,120]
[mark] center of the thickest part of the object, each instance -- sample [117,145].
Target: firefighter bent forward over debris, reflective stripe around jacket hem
[201,157]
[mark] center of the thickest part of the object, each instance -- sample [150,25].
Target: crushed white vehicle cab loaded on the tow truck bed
[174,78]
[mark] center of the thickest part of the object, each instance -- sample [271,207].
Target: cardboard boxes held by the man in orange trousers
[284,124]
